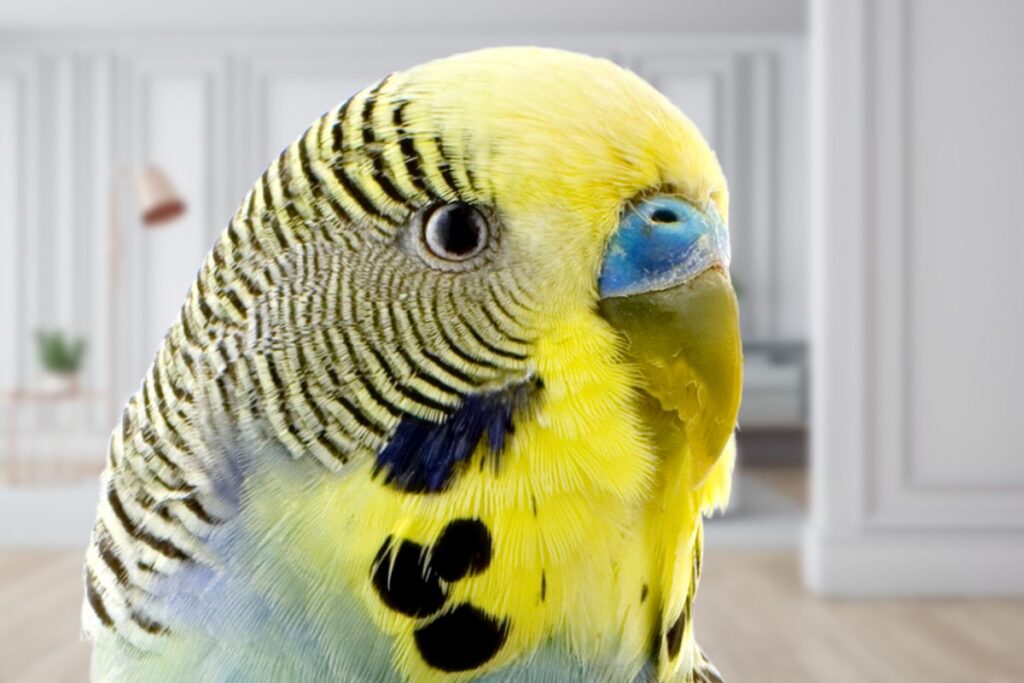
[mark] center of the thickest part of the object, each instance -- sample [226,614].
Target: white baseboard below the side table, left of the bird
[48,517]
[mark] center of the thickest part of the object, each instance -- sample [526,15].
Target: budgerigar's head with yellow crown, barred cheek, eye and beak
[430,241]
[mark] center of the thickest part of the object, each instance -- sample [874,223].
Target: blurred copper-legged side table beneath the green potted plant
[71,457]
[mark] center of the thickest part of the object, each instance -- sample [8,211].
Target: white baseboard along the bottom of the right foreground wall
[915,565]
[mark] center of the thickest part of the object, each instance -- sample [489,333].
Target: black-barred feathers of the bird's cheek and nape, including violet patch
[317,323]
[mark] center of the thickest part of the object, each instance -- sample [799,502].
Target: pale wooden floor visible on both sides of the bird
[753,620]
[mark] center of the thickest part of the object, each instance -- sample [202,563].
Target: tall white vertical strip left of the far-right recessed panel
[839,196]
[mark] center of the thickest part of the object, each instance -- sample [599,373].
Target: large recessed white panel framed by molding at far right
[965,243]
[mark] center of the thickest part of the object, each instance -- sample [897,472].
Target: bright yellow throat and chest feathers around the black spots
[613,517]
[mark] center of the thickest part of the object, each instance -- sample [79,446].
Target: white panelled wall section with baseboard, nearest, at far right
[918,468]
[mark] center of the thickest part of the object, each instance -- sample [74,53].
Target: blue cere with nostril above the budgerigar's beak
[663,242]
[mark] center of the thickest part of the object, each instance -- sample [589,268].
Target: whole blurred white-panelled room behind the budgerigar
[874,154]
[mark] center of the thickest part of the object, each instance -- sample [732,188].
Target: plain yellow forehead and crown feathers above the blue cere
[553,133]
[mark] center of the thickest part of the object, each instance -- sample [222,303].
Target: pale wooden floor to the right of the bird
[756,622]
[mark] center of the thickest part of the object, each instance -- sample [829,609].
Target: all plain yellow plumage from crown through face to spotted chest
[614,516]
